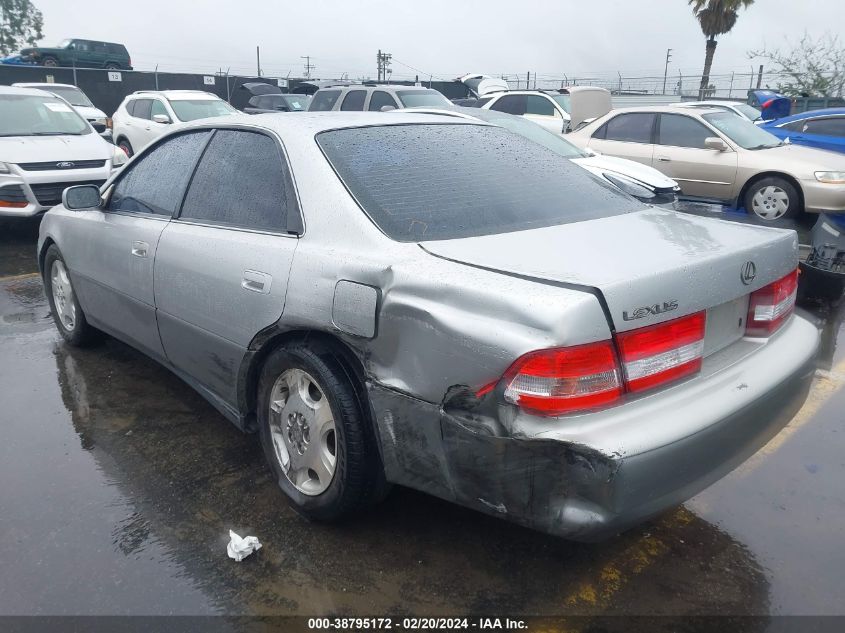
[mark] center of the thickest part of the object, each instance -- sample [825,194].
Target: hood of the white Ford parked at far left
[37,149]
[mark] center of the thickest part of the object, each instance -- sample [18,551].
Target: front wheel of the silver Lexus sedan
[64,306]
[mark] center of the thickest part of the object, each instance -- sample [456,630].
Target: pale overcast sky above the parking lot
[439,37]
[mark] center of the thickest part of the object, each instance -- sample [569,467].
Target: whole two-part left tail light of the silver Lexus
[575,379]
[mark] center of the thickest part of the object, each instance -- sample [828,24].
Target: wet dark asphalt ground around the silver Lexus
[119,484]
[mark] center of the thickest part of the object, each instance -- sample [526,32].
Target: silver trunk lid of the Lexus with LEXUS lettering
[652,257]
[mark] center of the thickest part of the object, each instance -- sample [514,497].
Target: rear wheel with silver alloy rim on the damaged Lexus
[315,434]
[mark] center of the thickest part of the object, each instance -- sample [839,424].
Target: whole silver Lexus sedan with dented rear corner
[504,331]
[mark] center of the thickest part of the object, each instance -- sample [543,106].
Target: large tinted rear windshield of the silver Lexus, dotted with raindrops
[446,181]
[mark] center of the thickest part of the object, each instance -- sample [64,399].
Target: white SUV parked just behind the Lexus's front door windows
[145,115]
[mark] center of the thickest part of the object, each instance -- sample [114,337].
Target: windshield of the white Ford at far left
[30,115]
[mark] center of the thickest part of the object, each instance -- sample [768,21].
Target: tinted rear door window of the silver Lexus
[240,182]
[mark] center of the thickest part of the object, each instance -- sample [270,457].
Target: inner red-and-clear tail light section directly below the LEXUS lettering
[661,353]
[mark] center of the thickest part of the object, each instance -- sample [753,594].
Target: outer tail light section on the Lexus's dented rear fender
[564,380]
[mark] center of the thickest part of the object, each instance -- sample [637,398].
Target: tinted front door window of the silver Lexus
[157,181]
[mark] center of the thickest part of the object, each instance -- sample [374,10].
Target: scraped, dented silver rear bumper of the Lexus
[589,477]
